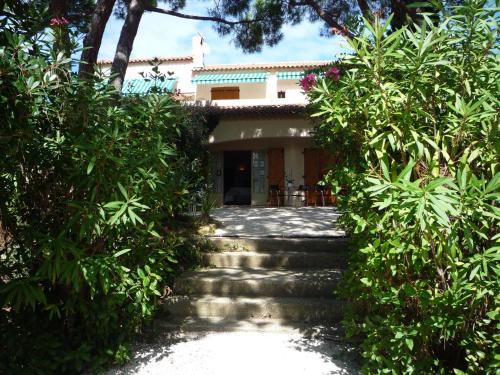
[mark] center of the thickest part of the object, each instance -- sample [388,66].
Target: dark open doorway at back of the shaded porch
[237,177]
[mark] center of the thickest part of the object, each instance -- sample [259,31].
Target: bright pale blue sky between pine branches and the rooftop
[162,35]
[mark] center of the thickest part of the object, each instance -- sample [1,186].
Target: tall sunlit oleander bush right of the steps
[414,118]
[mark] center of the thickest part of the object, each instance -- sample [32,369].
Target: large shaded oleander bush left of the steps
[90,187]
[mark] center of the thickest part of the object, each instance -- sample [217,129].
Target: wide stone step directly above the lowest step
[259,282]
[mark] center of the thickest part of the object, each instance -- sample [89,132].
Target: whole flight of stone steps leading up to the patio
[260,282]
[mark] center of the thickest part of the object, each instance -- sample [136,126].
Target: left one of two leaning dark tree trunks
[93,39]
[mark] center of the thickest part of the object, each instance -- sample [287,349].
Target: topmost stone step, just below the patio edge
[266,244]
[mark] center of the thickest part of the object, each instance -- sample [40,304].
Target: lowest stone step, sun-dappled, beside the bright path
[278,309]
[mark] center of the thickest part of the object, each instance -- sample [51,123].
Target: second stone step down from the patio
[279,259]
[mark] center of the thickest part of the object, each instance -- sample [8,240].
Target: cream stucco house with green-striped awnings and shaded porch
[261,148]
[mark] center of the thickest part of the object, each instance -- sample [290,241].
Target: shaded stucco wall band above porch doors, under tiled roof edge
[241,129]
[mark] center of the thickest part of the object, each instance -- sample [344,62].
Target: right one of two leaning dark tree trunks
[126,42]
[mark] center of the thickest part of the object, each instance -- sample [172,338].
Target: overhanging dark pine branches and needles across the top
[255,23]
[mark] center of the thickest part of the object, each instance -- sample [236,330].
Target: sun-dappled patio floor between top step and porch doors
[244,221]
